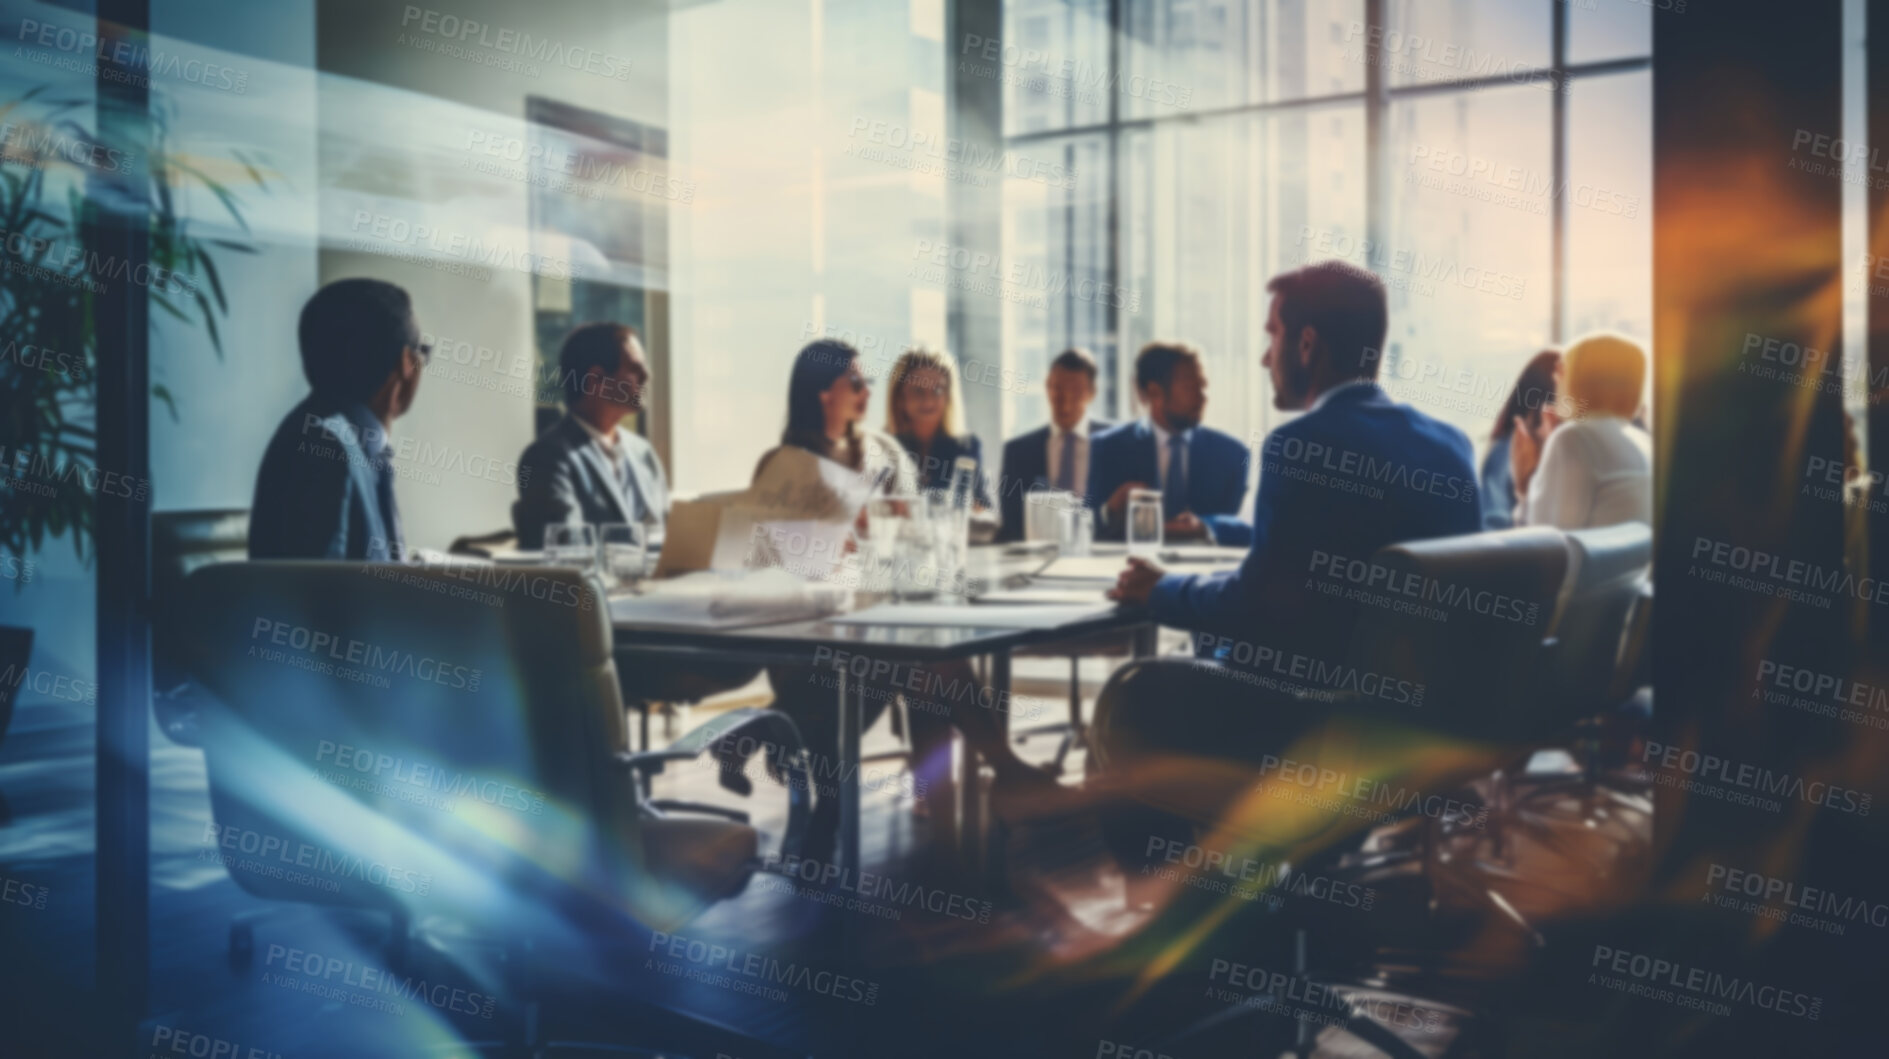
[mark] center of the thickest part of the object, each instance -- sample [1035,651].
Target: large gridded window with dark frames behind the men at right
[1219,143]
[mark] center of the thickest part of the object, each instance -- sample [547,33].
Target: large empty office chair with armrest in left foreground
[468,758]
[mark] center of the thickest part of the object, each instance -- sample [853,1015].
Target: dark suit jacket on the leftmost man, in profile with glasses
[318,490]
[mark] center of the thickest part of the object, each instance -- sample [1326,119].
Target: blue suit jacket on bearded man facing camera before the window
[1216,477]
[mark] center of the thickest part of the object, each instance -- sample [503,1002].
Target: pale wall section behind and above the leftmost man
[407,101]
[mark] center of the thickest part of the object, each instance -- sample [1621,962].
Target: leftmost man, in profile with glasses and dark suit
[326,486]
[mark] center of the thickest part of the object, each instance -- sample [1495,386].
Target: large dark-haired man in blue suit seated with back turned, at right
[1353,475]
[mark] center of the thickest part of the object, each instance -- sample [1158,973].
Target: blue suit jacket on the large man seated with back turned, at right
[1348,479]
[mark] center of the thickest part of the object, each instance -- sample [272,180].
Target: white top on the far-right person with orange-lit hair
[1597,471]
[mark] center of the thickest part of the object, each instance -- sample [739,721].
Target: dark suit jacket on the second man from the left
[568,479]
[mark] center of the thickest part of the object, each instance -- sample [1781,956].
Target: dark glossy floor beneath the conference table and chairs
[1042,958]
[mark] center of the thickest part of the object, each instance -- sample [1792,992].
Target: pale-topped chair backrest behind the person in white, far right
[1608,569]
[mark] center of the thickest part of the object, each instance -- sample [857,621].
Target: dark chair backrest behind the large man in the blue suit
[1465,616]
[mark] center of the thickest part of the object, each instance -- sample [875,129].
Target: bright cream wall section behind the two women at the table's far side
[796,126]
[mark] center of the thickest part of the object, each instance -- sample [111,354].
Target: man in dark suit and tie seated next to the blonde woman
[1057,456]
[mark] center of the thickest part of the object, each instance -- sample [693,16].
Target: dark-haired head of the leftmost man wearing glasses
[352,333]
